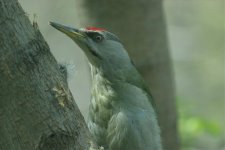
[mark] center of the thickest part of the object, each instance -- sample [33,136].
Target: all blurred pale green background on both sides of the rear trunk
[196,33]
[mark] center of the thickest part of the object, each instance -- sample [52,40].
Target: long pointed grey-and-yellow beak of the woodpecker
[71,32]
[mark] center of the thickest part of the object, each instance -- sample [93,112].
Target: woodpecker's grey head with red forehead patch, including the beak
[102,48]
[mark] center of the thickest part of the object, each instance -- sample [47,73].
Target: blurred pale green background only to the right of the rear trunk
[196,34]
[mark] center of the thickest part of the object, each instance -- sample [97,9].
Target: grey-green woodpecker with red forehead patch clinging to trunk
[121,112]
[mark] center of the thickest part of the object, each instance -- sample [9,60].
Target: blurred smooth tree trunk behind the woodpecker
[141,26]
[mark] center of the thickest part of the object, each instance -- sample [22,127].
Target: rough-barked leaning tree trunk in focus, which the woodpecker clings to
[37,110]
